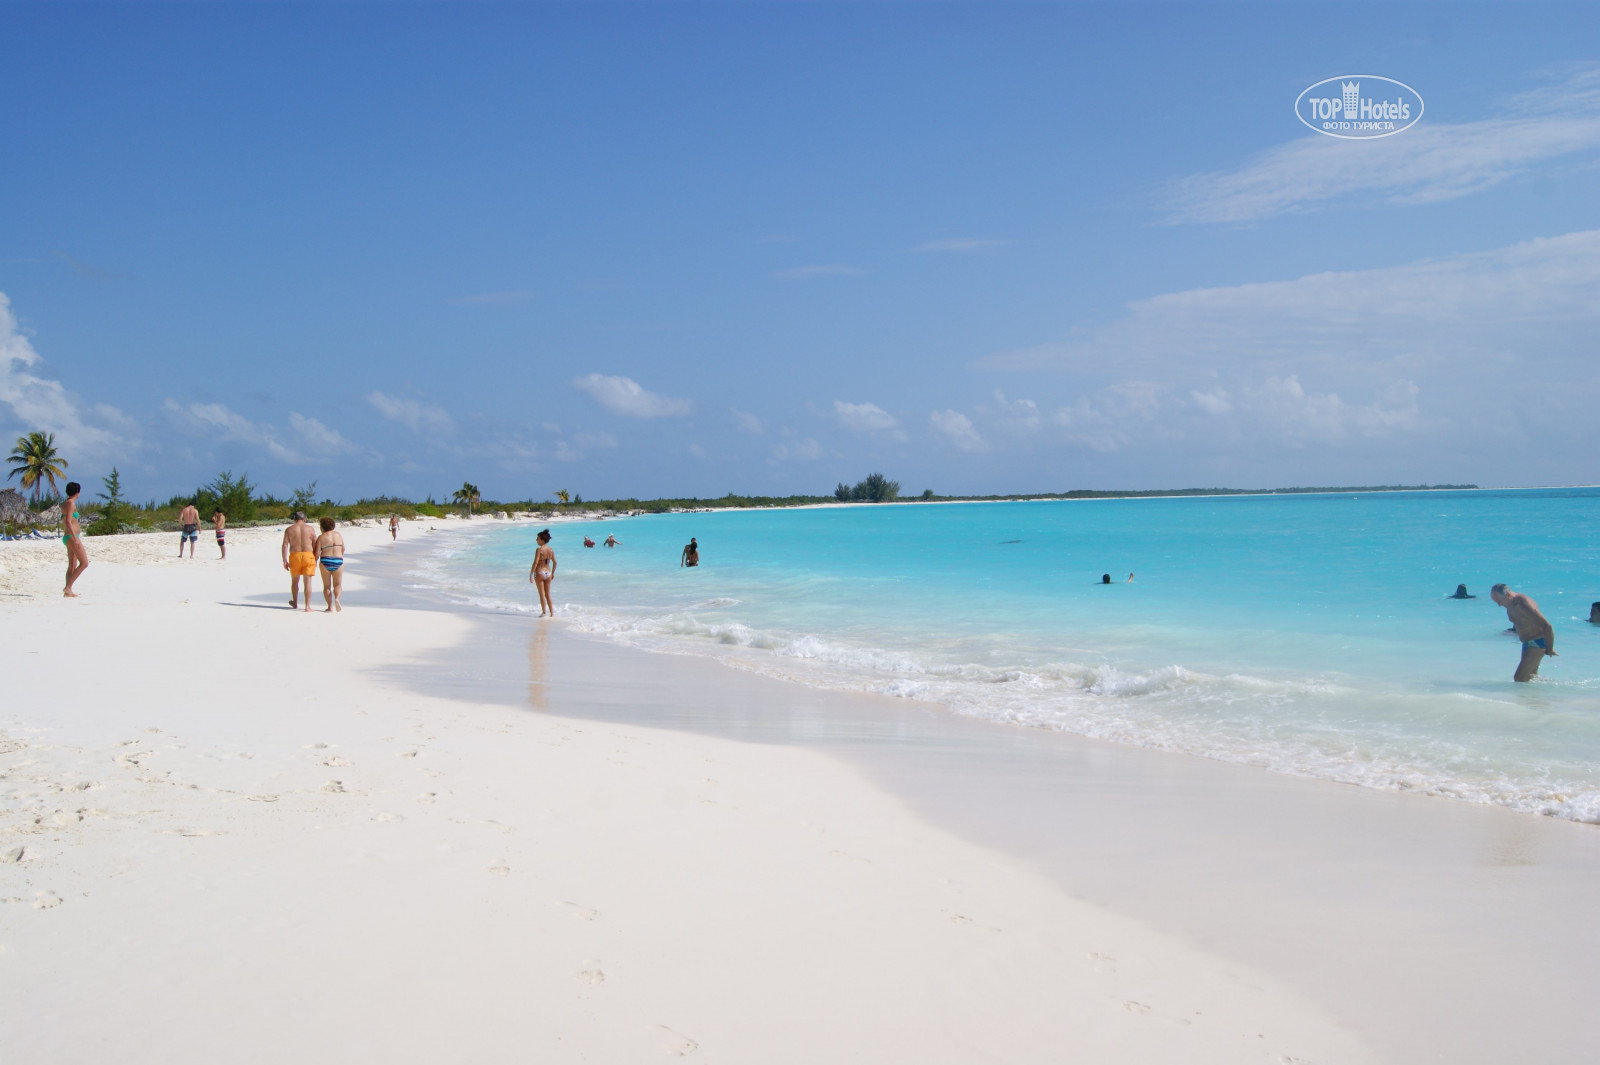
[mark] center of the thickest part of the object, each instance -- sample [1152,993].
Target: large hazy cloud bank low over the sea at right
[1465,354]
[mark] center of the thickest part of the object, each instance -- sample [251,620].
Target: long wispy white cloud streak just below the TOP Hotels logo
[1428,164]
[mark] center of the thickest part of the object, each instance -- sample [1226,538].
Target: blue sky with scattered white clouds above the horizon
[694,249]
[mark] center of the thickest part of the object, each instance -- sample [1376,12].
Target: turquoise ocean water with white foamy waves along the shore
[1305,634]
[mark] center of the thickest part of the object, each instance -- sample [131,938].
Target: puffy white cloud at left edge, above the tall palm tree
[44,405]
